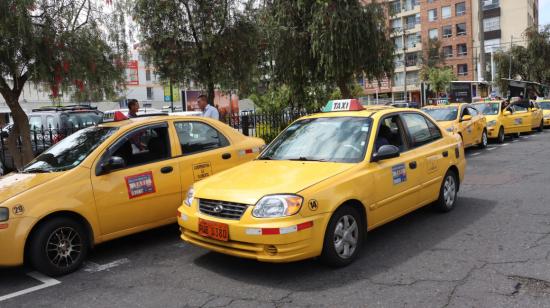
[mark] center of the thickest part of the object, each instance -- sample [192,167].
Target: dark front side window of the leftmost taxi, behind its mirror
[143,146]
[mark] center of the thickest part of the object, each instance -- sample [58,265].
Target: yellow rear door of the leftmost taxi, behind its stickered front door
[205,151]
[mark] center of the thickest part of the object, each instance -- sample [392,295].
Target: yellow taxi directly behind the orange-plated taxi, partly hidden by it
[462,119]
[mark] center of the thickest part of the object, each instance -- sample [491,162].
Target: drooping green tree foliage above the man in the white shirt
[212,42]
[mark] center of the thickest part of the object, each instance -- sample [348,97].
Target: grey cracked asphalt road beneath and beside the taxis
[493,250]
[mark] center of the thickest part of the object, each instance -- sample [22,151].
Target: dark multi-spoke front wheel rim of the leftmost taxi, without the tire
[64,247]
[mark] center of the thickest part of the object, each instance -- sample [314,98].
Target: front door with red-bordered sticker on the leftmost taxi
[146,190]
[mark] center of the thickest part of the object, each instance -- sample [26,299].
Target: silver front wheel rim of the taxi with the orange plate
[346,236]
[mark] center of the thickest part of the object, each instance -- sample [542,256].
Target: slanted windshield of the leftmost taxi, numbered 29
[71,151]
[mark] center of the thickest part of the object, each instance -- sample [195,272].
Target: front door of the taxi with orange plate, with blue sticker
[397,179]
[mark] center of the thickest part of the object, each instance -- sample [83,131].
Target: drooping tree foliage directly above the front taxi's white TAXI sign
[322,43]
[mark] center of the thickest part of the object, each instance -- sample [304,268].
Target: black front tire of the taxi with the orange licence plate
[330,254]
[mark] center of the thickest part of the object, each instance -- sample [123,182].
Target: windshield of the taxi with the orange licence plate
[341,139]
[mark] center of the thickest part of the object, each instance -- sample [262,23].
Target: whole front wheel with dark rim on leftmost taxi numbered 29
[68,242]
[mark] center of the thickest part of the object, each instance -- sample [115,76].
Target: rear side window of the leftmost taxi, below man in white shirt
[198,137]
